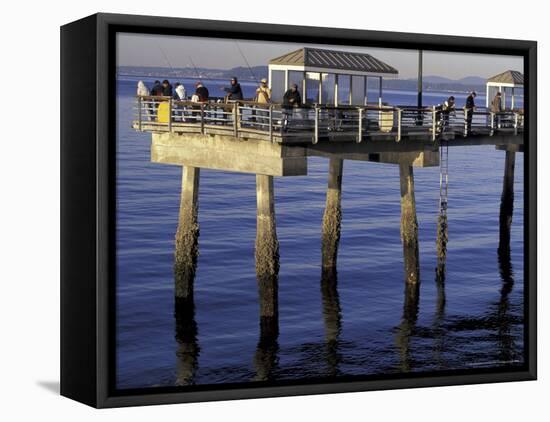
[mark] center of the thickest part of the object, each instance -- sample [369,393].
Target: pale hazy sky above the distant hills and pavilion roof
[216,53]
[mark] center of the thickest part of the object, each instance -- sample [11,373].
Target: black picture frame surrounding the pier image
[87,203]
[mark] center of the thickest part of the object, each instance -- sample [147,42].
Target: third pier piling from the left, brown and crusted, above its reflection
[332,216]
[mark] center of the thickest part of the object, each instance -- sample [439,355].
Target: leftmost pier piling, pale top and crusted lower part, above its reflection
[187,234]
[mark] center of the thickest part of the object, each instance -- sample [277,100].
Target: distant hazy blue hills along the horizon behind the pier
[255,73]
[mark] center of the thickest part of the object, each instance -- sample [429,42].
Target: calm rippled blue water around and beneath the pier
[478,325]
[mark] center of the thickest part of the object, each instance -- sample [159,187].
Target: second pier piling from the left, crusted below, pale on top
[267,256]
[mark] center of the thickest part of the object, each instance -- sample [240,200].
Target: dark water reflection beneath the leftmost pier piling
[186,336]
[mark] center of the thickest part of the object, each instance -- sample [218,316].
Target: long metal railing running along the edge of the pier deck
[313,123]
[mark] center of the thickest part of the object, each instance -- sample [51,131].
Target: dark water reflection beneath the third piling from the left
[332,317]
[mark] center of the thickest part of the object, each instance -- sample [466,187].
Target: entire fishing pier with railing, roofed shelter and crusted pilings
[269,140]
